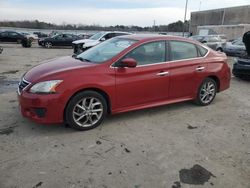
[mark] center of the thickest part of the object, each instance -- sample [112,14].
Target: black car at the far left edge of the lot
[12,36]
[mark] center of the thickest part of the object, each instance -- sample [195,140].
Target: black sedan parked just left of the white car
[58,40]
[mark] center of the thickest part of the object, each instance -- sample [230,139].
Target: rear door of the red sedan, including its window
[187,68]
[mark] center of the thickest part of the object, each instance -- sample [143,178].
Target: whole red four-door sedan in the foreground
[122,74]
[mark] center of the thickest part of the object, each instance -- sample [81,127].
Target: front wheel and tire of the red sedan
[81,115]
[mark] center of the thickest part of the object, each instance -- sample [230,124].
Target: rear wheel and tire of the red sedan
[206,92]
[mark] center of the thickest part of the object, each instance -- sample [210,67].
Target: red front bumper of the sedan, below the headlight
[45,109]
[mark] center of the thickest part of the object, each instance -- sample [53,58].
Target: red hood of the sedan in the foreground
[54,66]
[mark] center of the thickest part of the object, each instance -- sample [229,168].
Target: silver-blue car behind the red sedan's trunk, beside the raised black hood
[236,48]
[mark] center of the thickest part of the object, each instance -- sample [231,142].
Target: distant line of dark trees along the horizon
[172,27]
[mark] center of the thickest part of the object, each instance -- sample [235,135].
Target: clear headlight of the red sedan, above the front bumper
[45,87]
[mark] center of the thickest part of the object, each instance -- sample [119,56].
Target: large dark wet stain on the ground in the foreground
[197,175]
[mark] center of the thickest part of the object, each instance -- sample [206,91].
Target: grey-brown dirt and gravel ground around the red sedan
[174,146]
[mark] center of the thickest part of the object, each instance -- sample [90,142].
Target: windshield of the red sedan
[106,50]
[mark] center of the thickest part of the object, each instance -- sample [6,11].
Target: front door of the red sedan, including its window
[146,83]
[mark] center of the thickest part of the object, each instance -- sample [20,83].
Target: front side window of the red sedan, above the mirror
[150,53]
